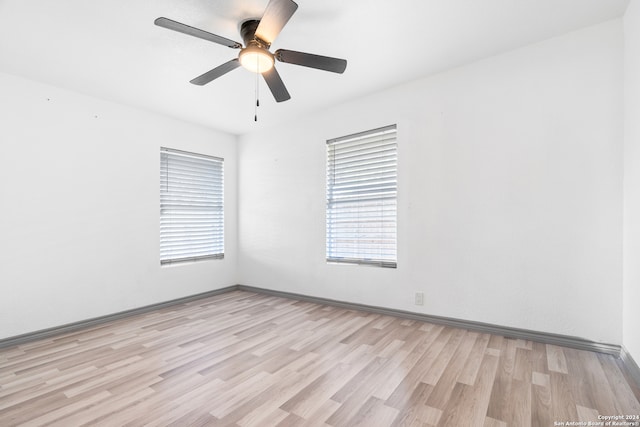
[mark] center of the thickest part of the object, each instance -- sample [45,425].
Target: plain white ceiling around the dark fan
[112,50]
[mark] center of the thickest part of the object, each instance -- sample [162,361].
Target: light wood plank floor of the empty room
[246,359]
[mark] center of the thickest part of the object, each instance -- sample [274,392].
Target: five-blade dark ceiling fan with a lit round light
[255,56]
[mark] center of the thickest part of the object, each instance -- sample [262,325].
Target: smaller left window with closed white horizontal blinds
[191,206]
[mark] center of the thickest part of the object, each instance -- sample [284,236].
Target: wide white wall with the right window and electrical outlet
[510,192]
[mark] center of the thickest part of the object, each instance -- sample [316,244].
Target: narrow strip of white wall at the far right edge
[631,325]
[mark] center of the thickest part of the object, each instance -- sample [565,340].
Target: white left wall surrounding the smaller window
[79,207]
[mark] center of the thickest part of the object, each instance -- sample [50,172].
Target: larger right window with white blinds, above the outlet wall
[361,198]
